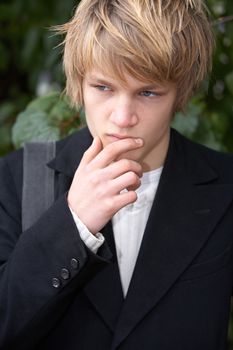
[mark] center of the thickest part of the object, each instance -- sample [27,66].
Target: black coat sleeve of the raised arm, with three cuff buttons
[41,268]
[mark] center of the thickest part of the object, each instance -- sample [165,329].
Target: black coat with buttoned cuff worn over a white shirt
[179,295]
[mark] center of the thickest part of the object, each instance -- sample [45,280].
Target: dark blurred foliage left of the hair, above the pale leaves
[29,57]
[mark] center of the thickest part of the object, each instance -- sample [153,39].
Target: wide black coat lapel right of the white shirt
[183,215]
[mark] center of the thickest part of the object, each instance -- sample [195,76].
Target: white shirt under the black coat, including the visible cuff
[128,227]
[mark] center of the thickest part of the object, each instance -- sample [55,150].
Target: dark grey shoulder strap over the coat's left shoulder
[38,181]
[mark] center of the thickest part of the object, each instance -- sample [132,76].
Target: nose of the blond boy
[124,113]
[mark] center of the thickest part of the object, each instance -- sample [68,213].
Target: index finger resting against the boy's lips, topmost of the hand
[113,150]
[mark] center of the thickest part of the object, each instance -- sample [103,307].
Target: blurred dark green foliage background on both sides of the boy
[31,80]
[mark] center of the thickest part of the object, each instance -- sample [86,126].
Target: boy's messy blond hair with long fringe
[152,40]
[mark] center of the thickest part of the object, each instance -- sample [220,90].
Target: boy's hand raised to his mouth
[95,193]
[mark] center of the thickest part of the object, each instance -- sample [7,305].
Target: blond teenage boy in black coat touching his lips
[136,251]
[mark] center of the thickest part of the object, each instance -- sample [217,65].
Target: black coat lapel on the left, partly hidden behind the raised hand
[104,290]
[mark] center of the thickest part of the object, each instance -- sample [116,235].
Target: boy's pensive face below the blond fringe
[135,110]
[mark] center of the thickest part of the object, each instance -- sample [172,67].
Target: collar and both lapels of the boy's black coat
[185,212]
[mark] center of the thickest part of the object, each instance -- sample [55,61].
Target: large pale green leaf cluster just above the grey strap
[46,118]
